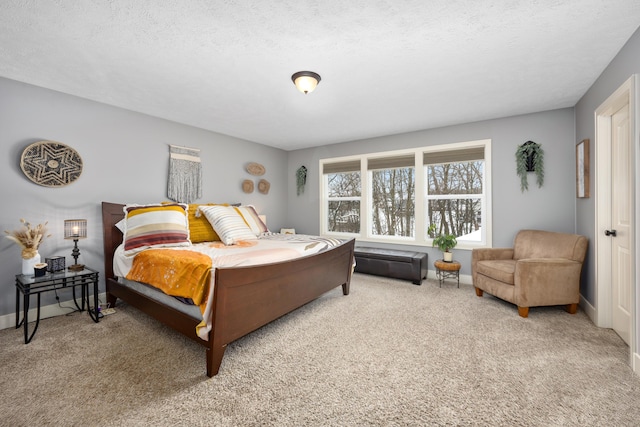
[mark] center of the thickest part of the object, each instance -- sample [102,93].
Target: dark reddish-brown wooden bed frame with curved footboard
[245,298]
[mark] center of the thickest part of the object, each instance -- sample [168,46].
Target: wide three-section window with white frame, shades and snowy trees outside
[394,197]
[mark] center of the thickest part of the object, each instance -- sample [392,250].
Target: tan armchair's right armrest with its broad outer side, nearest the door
[547,281]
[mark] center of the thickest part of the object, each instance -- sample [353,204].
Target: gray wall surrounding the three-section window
[551,207]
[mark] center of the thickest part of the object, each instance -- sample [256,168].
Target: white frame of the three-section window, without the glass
[420,238]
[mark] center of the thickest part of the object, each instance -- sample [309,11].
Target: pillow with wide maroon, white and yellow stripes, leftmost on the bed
[155,226]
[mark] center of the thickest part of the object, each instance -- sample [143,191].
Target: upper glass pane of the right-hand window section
[455,178]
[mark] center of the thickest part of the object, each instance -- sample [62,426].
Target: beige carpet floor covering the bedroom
[389,354]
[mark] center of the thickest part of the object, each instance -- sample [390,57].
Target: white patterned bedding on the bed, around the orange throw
[269,248]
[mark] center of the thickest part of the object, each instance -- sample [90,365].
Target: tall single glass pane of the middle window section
[393,202]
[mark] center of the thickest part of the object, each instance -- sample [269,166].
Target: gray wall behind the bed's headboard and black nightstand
[125,157]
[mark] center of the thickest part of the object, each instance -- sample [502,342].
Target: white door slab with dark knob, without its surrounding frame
[621,221]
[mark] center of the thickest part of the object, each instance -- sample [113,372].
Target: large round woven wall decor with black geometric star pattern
[51,164]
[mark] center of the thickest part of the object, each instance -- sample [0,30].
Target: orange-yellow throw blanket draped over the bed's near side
[178,273]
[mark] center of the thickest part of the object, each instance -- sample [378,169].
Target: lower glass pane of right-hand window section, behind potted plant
[461,217]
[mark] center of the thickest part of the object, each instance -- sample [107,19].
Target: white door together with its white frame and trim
[615,189]
